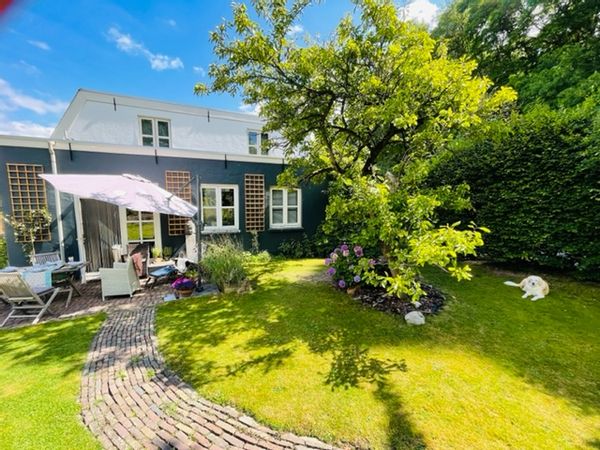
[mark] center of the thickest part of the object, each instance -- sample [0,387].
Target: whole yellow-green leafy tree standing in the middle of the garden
[367,107]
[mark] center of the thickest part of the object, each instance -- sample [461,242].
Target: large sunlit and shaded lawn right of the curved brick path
[491,371]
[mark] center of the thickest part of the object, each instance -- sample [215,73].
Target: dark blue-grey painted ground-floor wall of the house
[153,168]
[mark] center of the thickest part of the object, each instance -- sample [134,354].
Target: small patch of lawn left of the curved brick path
[40,372]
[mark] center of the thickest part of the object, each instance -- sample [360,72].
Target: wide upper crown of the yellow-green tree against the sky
[378,91]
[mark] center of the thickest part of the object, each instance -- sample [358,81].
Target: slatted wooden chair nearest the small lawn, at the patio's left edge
[25,300]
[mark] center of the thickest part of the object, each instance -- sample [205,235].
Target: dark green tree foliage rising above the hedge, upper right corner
[547,50]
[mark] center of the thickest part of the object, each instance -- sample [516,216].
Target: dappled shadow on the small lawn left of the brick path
[60,343]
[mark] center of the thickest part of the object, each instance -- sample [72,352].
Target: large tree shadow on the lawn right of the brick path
[554,351]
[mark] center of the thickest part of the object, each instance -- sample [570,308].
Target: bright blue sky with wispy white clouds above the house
[152,49]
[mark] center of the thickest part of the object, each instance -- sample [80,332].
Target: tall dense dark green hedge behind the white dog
[535,182]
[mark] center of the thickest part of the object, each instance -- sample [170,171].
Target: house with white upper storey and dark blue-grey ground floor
[169,144]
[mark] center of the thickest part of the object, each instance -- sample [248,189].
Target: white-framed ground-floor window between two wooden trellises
[220,207]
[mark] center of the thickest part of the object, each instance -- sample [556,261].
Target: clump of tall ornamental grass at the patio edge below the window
[224,262]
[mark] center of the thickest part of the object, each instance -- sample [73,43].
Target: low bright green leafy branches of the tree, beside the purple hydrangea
[404,225]
